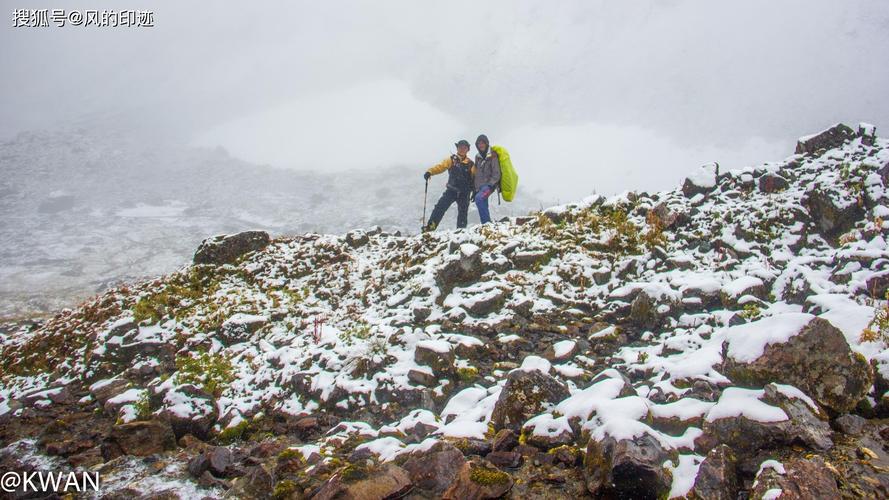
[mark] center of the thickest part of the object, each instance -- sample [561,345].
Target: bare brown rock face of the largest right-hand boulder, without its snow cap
[818,360]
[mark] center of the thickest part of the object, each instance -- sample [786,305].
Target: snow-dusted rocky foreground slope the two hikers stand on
[727,337]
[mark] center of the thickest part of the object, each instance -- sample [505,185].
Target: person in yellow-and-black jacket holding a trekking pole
[459,169]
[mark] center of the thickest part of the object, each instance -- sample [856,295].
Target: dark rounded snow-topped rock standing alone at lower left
[190,410]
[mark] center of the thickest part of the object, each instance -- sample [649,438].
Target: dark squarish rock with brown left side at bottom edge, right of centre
[627,468]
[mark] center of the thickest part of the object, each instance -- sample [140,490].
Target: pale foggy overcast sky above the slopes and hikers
[588,95]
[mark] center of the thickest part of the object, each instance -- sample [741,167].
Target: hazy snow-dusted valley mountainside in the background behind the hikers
[82,210]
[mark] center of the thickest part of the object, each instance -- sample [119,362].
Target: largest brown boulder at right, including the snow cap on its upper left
[816,359]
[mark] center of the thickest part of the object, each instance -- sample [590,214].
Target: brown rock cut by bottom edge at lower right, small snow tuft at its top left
[803,478]
